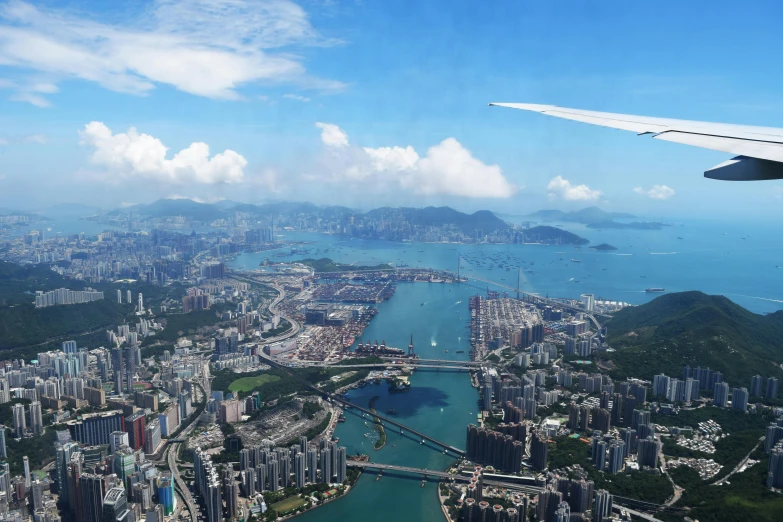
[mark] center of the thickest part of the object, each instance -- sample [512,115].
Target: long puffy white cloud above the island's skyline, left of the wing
[447,168]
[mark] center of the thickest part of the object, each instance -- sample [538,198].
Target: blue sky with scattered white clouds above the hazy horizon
[367,103]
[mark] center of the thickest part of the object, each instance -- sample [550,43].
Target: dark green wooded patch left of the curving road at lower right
[633,484]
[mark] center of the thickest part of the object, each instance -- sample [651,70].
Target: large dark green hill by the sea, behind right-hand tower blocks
[696,329]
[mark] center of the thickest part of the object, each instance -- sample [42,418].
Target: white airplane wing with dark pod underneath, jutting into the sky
[759,149]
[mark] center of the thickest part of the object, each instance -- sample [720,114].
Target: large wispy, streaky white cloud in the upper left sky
[184,44]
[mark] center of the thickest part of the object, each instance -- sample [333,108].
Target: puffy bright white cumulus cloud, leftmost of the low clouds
[141,156]
